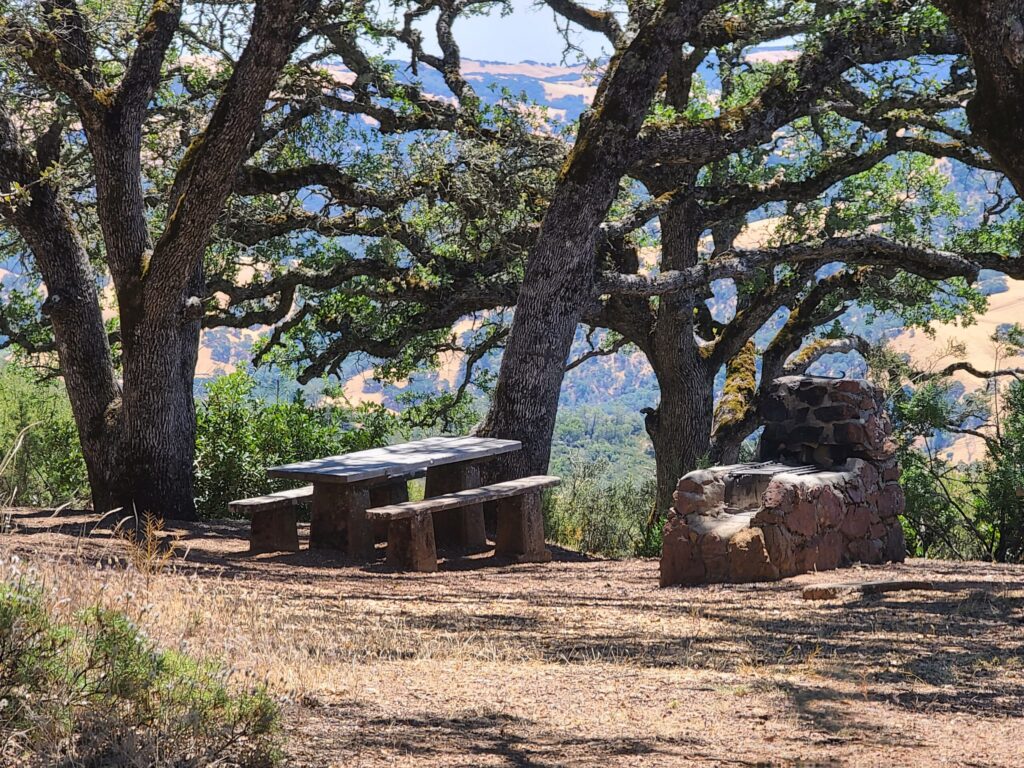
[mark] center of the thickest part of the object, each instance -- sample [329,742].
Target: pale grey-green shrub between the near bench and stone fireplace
[607,518]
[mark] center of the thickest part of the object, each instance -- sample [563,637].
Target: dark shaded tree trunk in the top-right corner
[994,31]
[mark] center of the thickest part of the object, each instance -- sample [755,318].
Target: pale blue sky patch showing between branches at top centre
[529,34]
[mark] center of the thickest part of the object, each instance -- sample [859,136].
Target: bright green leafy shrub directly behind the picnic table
[240,436]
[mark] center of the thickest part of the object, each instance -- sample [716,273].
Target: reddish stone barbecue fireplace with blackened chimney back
[826,493]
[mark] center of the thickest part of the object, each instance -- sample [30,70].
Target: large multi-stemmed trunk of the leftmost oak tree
[140,443]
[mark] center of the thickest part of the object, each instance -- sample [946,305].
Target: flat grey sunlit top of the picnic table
[395,461]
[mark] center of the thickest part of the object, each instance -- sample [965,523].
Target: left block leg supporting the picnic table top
[339,520]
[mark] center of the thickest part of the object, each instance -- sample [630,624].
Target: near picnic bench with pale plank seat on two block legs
[521,523]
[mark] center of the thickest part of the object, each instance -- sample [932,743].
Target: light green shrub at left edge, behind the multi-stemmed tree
[41,462]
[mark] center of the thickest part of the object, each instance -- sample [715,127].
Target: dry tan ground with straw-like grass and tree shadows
[577,663]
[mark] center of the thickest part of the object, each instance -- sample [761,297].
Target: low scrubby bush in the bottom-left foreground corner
[98,693]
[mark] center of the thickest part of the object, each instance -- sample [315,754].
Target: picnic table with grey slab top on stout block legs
[346,487]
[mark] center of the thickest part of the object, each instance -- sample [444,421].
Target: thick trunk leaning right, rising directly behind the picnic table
[560,275]
